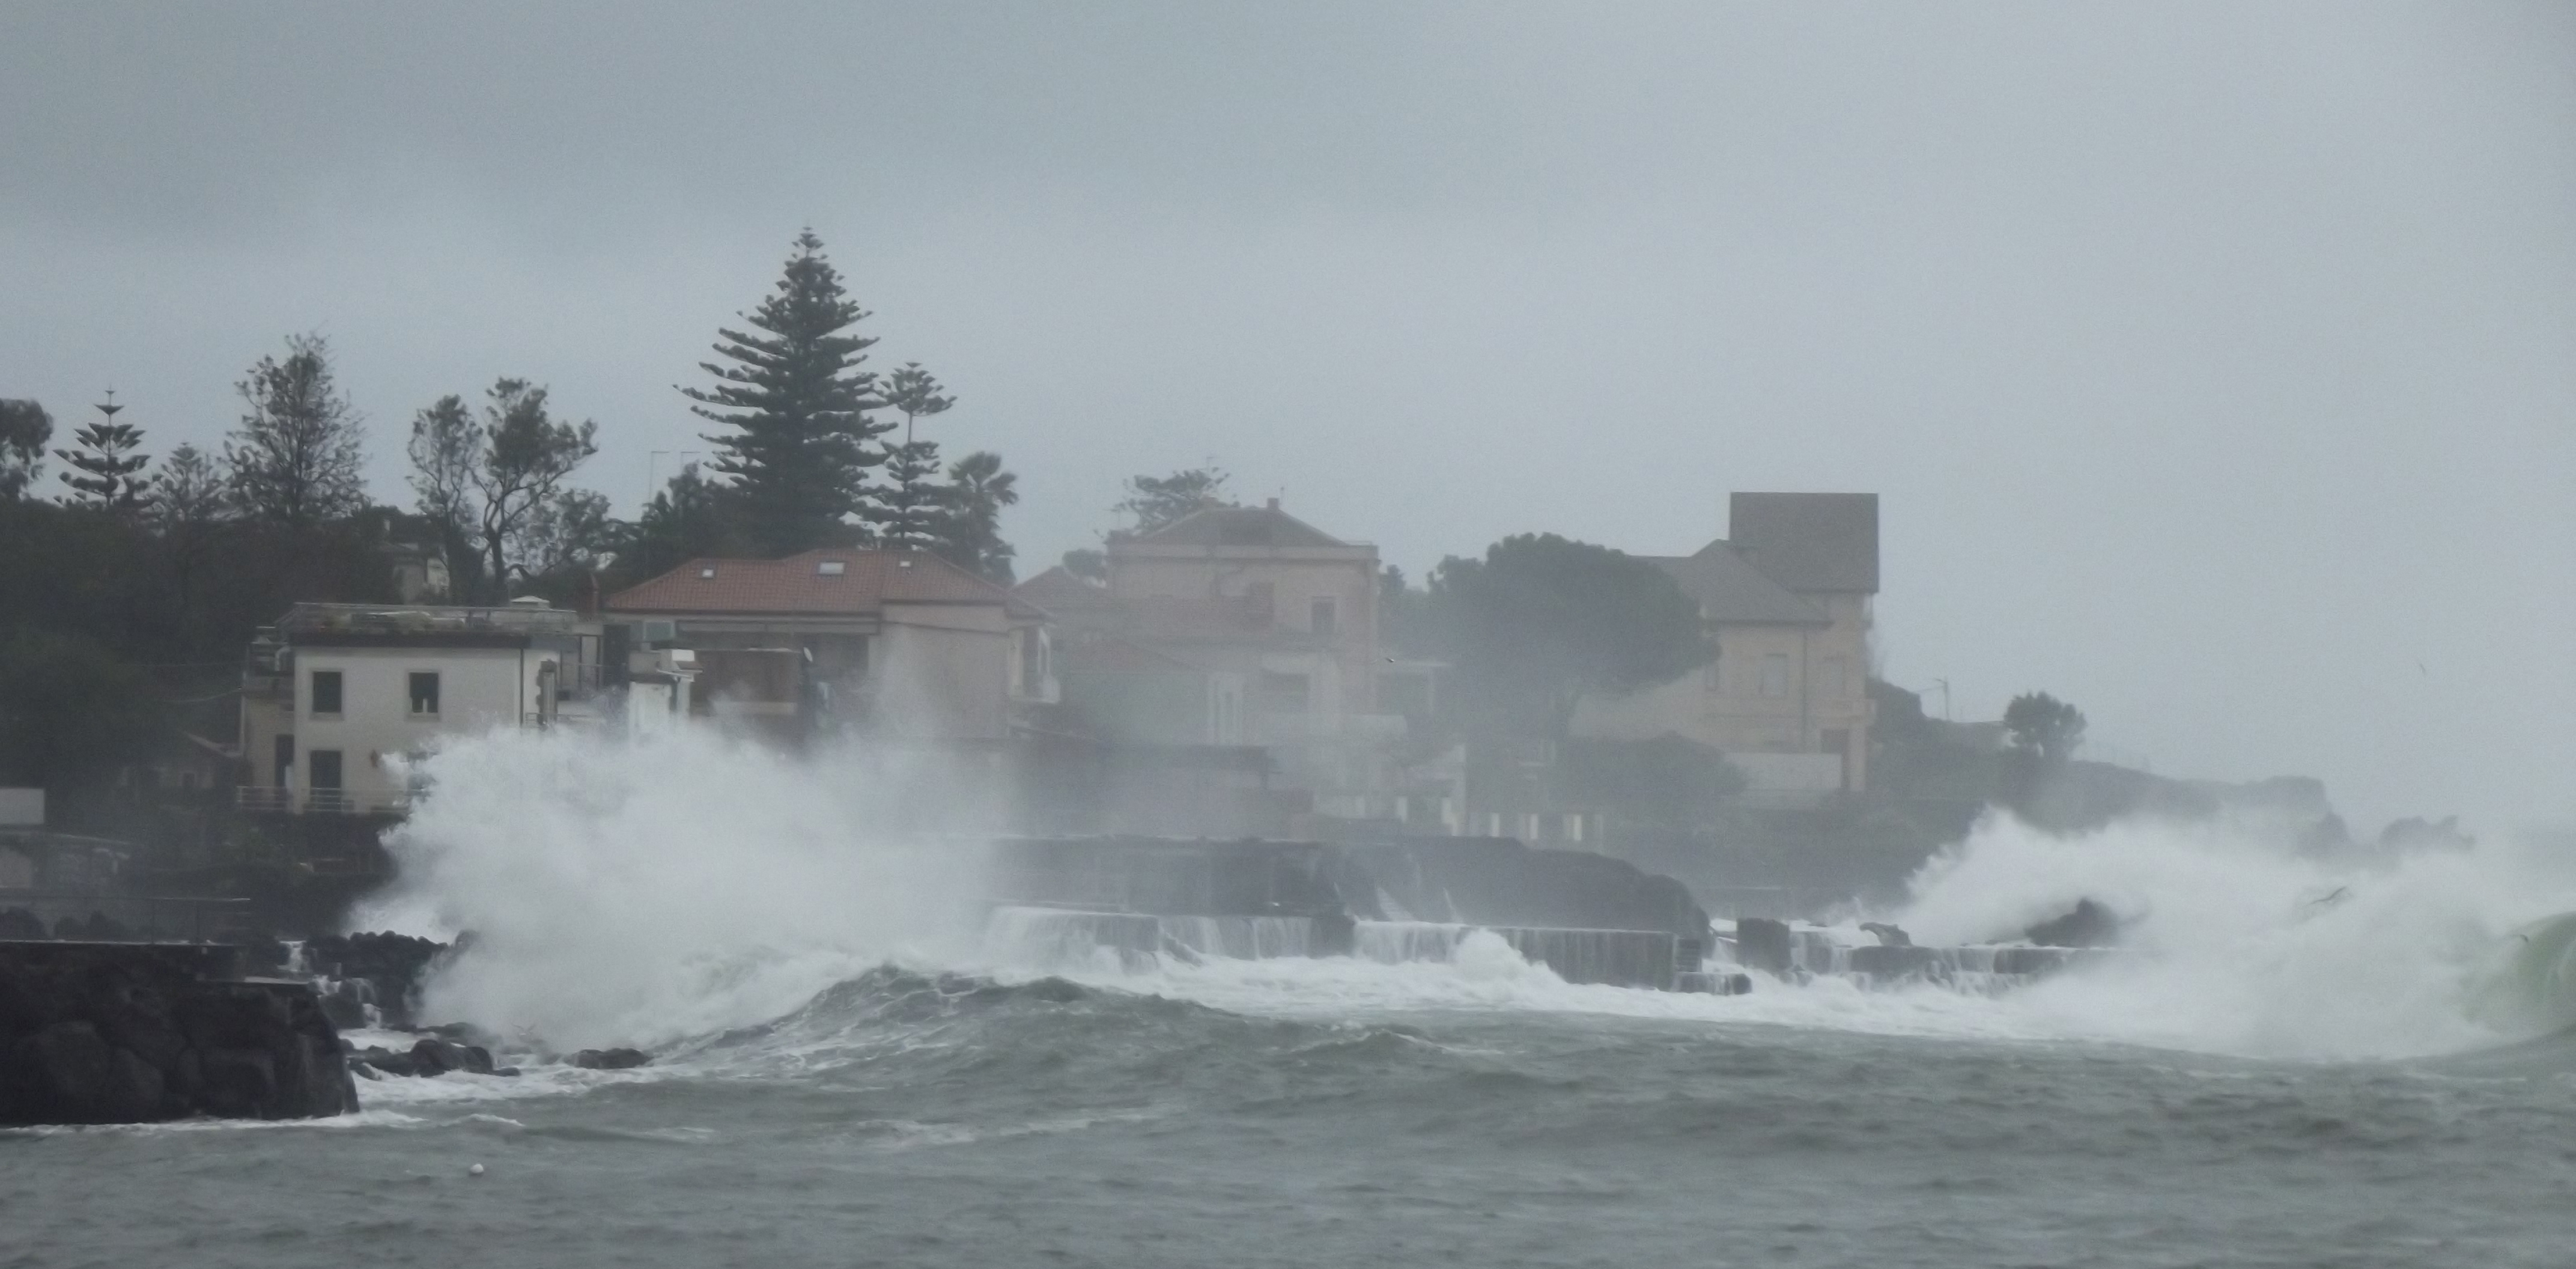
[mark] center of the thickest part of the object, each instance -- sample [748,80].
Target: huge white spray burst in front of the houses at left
[640,892]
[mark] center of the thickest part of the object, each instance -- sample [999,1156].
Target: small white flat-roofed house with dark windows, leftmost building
[334,694]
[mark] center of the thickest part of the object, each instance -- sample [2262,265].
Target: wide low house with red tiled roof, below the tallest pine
[898,645]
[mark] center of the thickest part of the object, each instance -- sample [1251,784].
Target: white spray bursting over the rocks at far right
[2242,946]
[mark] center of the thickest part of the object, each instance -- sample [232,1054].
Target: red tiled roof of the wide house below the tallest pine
[867,583]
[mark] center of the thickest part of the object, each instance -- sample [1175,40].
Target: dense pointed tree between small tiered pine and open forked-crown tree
[298,454]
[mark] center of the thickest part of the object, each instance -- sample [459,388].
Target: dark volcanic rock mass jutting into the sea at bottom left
[130,1033]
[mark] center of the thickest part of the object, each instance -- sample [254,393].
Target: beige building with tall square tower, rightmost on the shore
[1786,596]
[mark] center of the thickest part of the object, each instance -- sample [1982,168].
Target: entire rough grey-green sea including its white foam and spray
[2291,1064]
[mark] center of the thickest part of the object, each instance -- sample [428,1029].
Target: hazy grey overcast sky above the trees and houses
[2217,364]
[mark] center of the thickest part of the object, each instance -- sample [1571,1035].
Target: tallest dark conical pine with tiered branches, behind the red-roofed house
[795,408]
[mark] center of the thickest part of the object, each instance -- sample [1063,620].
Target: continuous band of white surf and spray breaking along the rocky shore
[741,907]
